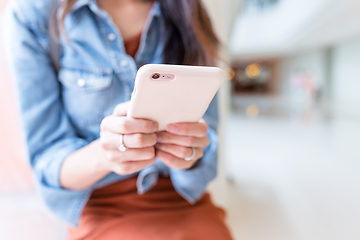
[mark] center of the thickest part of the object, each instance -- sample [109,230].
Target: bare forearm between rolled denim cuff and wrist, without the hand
[83,168]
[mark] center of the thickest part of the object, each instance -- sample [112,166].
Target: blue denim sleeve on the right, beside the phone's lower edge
[191,184]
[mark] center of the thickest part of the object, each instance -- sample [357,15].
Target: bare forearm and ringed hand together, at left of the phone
[86,166]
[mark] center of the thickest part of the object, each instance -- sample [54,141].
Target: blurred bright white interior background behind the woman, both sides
[290,129]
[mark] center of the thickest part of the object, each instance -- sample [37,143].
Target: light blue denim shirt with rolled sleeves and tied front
[61,110]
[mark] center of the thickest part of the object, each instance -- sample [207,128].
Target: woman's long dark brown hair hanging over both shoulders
[190,39]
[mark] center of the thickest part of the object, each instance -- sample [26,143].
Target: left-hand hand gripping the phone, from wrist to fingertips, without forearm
[138,136]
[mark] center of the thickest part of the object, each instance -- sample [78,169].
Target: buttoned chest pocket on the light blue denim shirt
[85,94]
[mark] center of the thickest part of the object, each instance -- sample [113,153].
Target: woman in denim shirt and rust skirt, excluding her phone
[74,99]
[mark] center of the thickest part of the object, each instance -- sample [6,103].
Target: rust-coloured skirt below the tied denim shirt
[118,212]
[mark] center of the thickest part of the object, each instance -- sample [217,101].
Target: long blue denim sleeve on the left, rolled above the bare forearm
[49,134]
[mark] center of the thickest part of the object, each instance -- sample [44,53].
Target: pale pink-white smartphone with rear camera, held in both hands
[174,93]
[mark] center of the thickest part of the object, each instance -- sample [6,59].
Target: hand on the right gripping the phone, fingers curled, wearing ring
[178,143]
